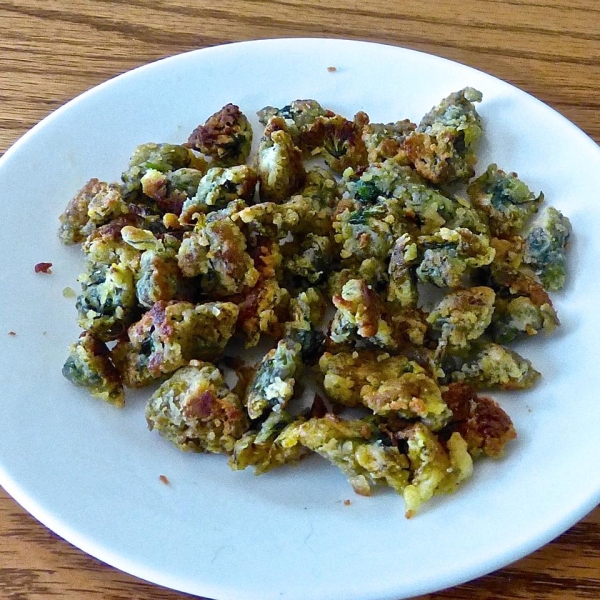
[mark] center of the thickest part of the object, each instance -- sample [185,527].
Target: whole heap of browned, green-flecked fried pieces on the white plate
[425,273]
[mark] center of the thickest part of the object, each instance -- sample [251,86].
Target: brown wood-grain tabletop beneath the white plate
[52,51]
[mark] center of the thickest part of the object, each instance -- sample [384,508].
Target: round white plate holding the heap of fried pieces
[91,473]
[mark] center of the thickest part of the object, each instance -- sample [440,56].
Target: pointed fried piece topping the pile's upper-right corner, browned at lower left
[442,147]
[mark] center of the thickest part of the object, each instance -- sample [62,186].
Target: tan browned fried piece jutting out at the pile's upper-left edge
[95,204]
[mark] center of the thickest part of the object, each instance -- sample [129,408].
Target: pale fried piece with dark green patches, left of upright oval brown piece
[217,189]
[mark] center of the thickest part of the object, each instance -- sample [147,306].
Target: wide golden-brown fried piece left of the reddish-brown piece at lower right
[388,385]
